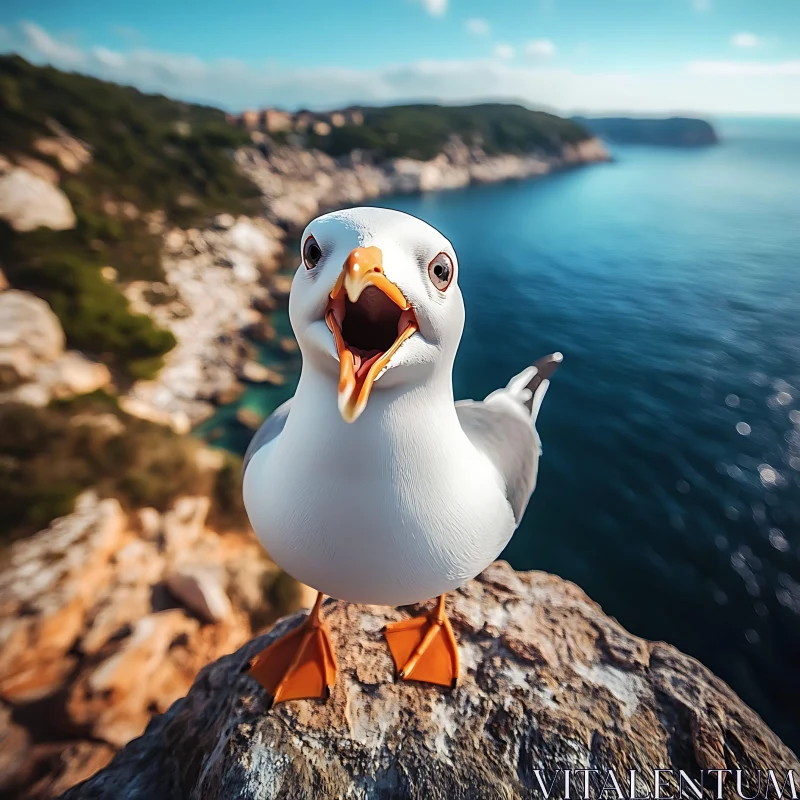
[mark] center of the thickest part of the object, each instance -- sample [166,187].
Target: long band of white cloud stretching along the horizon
[702,87]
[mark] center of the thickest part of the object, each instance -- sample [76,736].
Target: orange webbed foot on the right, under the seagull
[424,648]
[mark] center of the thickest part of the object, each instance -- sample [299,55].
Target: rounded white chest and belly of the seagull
[396,508]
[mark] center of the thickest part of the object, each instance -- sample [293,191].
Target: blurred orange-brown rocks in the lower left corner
[106,619]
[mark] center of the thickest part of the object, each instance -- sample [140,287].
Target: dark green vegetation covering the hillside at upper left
[148,153]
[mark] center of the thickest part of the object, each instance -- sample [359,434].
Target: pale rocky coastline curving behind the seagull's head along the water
[241,258]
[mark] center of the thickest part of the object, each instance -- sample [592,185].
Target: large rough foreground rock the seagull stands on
[548,682]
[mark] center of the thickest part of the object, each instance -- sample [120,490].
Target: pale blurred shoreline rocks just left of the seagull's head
[214,283]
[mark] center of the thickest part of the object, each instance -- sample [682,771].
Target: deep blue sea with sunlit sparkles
[669,488]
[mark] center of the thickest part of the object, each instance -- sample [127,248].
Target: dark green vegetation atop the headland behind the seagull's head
[421,131]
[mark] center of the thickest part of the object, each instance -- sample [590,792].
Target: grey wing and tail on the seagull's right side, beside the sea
[503,427]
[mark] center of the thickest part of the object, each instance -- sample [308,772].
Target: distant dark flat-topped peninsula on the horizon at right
[672,132]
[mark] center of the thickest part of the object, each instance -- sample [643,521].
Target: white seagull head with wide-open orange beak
[375,302]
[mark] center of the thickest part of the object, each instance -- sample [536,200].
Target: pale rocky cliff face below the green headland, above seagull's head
[298,184]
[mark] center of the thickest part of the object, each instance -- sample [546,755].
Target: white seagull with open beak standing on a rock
[371,484]
